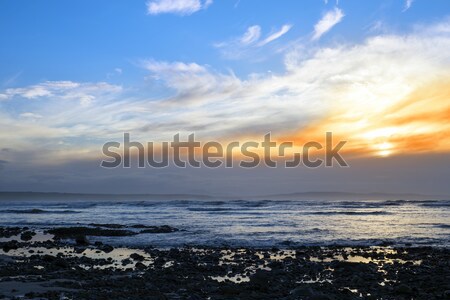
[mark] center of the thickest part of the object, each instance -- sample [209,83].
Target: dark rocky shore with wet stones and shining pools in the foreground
[62,263]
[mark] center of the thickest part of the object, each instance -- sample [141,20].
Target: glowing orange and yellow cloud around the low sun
[416,124]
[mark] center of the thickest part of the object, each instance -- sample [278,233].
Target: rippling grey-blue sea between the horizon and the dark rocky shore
[262,223]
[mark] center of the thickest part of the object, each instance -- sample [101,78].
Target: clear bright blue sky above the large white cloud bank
[87,40]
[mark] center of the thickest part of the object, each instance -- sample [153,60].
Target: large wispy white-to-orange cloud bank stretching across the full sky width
[383,94]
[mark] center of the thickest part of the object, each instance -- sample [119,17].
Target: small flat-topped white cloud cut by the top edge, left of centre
[179,7]
